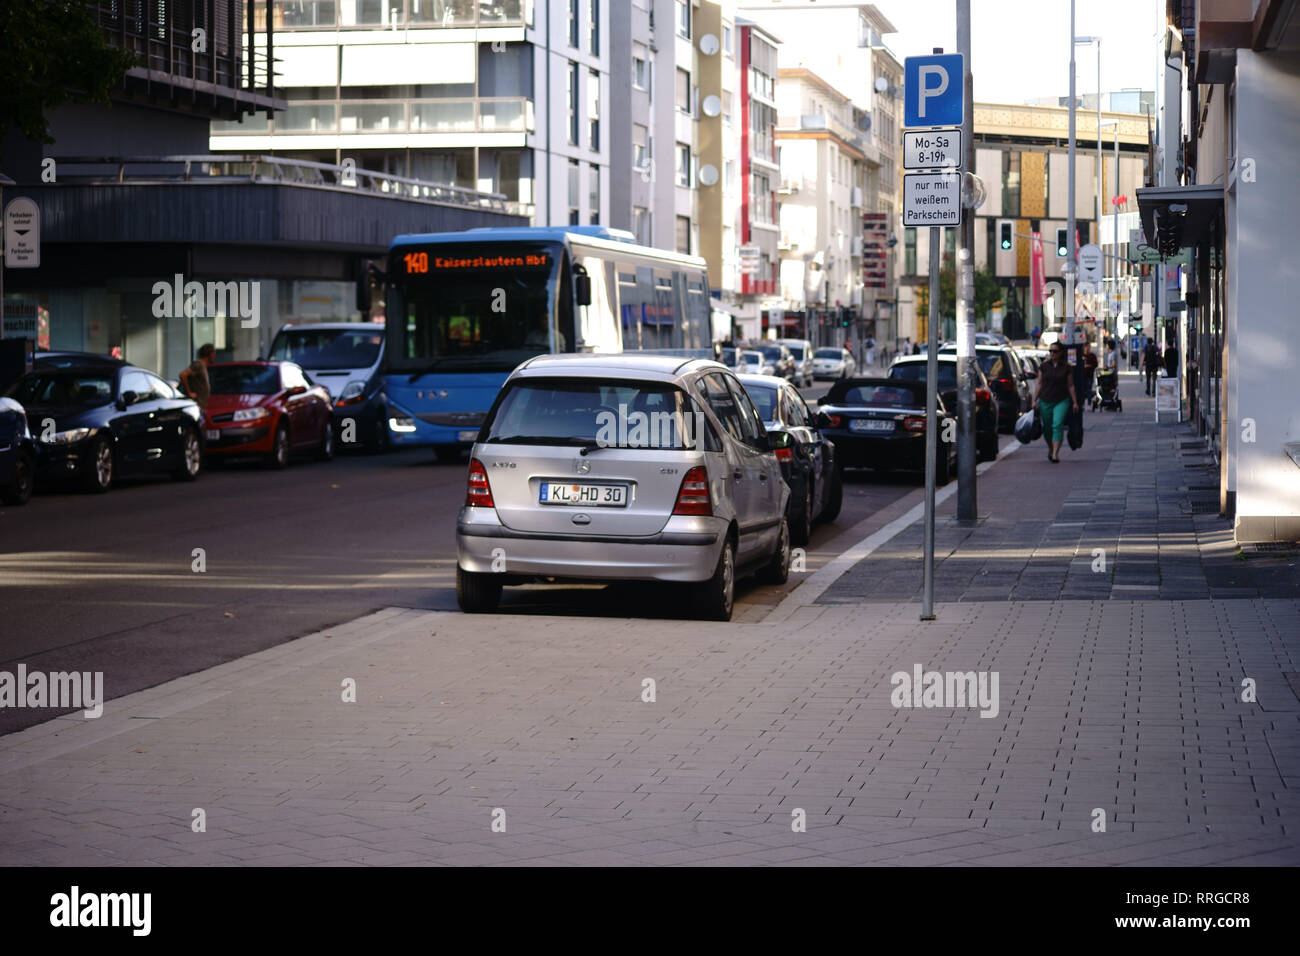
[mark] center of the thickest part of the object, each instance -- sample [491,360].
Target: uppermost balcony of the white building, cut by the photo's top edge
[387,15]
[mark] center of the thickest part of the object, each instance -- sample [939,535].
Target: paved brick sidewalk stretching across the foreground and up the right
[1120,702]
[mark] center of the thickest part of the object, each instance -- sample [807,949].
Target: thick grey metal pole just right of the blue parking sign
[967,498]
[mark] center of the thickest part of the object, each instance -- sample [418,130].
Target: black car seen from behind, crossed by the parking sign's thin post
[881,423]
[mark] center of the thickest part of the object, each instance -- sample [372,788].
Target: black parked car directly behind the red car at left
[98,422]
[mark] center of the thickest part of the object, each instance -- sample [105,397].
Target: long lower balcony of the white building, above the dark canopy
[502,115]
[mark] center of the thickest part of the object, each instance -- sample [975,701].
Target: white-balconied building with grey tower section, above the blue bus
[510,98]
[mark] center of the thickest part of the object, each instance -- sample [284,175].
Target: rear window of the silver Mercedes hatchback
[600,413]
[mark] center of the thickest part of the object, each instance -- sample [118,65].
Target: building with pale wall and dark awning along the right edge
[1224,209]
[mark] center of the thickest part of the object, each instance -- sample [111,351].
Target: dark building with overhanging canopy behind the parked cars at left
[118,223]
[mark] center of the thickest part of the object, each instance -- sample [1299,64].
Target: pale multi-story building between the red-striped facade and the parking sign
[840,50]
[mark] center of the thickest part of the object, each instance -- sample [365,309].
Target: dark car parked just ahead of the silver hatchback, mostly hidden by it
[808,460]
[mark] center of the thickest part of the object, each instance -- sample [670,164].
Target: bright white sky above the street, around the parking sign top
[1020,49]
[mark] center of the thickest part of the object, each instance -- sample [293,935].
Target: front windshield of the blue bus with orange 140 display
[479,308]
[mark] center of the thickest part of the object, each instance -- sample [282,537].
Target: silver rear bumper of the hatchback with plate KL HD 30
[686,551]
